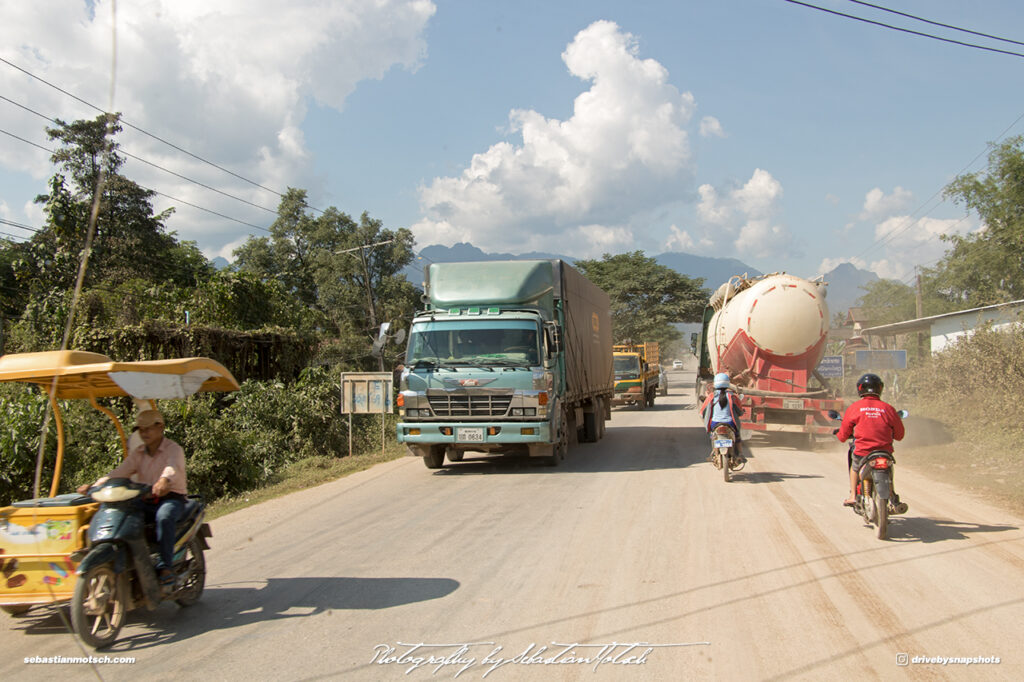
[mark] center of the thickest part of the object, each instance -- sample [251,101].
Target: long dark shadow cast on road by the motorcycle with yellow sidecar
[228,607]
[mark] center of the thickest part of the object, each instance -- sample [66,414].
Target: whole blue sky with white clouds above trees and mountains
[763,131]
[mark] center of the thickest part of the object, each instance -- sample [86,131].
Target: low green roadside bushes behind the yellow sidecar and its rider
[234,443]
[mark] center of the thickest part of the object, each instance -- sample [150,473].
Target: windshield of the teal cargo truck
[487,344]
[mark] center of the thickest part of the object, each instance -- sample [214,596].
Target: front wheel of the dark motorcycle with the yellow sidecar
[98,608]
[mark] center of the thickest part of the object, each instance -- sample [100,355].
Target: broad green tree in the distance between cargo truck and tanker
[647,299]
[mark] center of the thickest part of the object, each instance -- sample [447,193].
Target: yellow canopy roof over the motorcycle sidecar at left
[86,375]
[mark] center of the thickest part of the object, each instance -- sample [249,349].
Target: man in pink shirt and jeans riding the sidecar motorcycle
[161,463]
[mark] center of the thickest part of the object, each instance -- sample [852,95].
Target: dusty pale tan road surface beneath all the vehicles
[632,562]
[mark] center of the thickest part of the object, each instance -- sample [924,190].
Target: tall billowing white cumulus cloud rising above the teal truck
[624,151]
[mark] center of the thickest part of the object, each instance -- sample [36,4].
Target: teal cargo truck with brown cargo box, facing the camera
[510,358]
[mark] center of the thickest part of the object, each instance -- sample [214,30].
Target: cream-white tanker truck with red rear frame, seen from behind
[769,334]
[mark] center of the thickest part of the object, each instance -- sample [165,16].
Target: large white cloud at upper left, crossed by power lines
[230,81]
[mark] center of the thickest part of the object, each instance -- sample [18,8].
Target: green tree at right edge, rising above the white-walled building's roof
[988,267]
